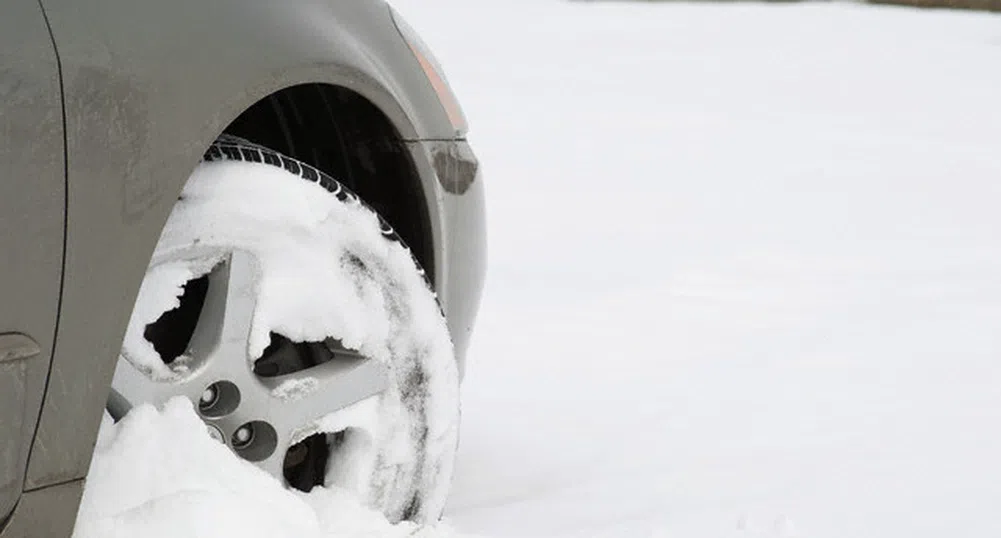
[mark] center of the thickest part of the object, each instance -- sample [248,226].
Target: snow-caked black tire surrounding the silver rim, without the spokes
[327,267]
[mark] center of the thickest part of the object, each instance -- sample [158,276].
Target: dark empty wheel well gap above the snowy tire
[346,136]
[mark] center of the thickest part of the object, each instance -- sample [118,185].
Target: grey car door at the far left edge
[33,208]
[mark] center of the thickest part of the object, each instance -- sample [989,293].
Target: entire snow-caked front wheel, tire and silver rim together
[302,330]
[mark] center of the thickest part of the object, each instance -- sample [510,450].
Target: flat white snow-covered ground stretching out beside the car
[745,278]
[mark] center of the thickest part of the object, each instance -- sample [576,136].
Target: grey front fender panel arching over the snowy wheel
[143,103]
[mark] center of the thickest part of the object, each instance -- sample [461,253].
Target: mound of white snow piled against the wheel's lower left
[159,474]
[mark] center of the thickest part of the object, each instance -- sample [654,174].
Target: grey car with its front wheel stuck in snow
[168,170]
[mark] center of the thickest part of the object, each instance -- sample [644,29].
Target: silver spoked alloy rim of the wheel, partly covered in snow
[269,408]
